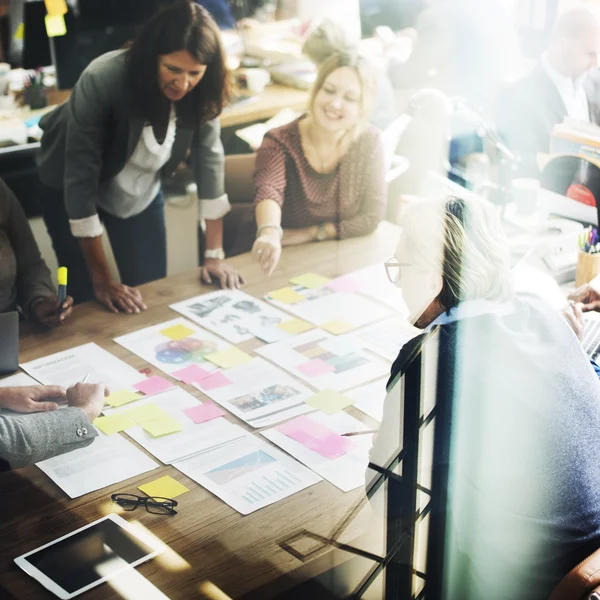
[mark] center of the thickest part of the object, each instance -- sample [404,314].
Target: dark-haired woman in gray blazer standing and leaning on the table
[131,118]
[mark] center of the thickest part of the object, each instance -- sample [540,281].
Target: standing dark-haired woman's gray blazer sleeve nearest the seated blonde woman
[208,157]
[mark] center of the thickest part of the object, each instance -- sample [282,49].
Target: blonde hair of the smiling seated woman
[365,72]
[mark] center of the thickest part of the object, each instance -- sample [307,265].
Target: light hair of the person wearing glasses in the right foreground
[464,236]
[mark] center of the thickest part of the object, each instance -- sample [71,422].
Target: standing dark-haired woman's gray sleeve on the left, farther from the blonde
[87,114]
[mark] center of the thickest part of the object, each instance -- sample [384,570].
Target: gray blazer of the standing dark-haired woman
[89,139]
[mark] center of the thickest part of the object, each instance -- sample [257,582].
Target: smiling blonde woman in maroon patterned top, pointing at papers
[322,176]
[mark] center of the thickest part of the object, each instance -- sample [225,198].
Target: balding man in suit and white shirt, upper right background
[565,82]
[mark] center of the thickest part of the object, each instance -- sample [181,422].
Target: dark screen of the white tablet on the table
[94,553]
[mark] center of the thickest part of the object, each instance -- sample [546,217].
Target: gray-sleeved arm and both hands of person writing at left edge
[33,428]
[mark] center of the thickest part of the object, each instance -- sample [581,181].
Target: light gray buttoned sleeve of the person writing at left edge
[29,438]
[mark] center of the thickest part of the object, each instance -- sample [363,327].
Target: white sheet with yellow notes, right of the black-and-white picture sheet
[322,305]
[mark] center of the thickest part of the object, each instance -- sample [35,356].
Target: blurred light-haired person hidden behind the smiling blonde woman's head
[328,38]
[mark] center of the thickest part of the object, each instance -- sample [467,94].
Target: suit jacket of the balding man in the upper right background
[528,110]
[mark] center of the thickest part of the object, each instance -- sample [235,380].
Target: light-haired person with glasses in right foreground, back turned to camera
[520,405]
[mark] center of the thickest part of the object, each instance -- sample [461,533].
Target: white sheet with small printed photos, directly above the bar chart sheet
[261,394]
